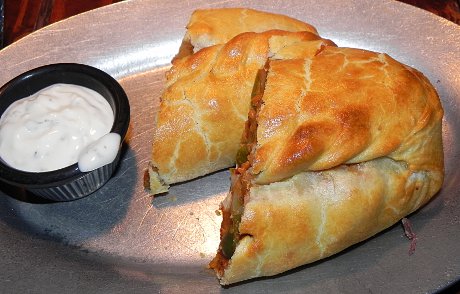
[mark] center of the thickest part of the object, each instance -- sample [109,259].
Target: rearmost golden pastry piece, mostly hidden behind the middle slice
[208,27]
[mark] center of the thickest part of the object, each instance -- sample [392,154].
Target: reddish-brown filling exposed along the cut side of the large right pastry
[233,205]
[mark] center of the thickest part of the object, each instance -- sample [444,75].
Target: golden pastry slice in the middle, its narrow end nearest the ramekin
[205,105]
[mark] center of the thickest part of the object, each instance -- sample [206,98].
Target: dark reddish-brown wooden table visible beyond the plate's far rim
[25,16]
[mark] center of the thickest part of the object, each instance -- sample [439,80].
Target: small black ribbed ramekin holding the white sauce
[67,183]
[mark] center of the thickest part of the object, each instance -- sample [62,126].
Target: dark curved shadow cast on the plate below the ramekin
[75,221]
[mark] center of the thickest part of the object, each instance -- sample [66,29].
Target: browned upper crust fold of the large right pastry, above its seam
[348,106]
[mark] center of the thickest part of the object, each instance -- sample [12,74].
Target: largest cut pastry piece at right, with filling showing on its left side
[340,147]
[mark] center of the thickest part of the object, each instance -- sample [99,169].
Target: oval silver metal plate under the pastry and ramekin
[119,240]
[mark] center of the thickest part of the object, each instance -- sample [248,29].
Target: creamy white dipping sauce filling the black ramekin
[49,129]
